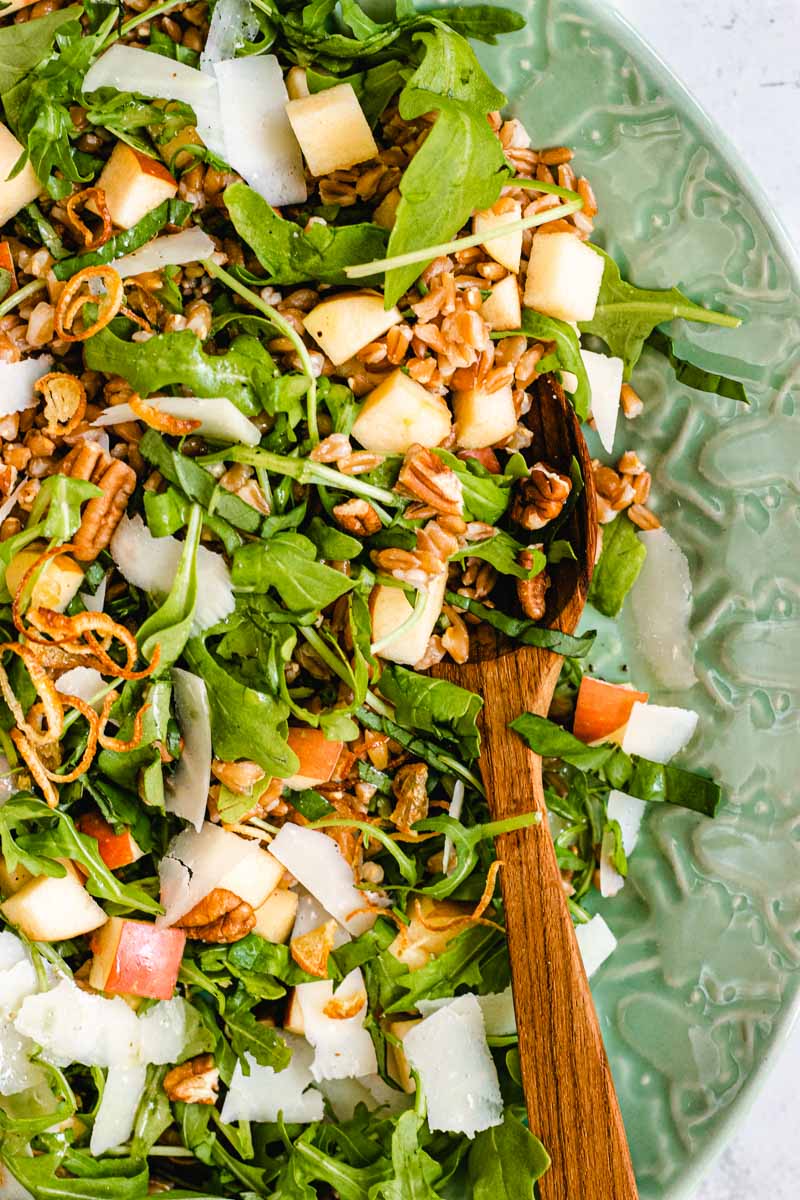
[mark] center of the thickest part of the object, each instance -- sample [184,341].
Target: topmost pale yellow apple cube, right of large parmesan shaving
[332,129]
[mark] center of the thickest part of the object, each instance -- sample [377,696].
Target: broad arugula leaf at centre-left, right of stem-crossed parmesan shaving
[287,563]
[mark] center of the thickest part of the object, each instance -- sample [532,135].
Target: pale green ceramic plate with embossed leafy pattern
[703,987]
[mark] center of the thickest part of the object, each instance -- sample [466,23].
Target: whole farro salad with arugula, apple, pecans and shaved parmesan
[279,287]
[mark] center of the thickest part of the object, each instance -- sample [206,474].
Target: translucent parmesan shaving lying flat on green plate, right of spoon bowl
[661,607]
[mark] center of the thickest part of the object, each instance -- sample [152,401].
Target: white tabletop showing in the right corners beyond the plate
[742,61]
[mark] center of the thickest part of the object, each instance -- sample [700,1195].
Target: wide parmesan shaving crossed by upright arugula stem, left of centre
[151,563]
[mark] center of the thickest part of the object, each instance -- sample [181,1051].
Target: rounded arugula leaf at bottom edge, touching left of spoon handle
[506,1162]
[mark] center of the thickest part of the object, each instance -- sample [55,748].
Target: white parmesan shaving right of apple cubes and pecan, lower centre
[317,862]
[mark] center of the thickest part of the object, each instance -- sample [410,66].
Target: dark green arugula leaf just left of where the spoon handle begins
[434,706]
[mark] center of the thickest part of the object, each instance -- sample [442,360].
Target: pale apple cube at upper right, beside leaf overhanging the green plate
[564,278]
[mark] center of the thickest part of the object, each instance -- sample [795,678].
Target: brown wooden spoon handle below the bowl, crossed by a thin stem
[572,1101]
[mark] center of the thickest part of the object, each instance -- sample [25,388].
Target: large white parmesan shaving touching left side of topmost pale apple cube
[260,141]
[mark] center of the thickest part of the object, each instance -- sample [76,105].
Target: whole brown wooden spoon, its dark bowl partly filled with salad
[570,1094]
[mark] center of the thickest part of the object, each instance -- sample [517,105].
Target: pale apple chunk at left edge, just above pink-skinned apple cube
[50,910]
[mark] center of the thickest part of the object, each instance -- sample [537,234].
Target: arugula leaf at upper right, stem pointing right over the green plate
[627,316]
